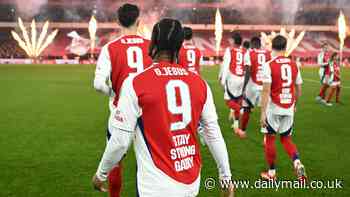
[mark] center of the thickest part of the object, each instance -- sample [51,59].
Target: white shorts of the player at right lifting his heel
[281,124]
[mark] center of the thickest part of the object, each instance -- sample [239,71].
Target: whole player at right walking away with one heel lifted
[281,89]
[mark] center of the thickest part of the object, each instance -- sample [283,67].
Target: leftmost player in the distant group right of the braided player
[232,78]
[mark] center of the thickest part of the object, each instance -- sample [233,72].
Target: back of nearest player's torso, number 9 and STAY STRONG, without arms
[166,141]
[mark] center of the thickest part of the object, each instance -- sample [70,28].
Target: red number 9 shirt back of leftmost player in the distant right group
[237,61]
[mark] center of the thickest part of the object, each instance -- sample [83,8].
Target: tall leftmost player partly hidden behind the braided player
[127,55]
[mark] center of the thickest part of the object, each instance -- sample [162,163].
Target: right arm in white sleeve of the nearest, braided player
[215,140]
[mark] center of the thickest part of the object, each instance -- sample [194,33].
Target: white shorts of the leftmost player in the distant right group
[233,87]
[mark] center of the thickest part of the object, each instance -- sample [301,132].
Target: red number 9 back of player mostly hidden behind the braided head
[189,56]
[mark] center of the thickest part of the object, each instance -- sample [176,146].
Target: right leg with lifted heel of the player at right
[286,126]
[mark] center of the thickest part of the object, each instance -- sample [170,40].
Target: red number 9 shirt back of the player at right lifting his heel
[284,76]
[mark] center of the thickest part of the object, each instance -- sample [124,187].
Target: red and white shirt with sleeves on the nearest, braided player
[165,116]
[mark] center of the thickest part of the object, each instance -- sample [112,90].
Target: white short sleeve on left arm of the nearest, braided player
[128,111]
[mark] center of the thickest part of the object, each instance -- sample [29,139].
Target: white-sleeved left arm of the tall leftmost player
[102,72]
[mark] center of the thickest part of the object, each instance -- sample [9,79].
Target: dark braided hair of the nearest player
[167,35]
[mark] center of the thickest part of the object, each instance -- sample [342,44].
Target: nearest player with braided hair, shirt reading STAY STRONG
[161,120]
